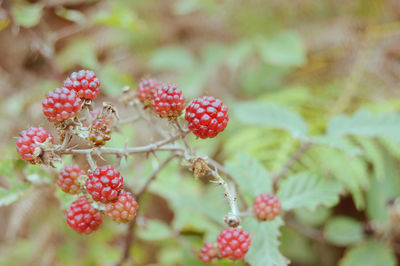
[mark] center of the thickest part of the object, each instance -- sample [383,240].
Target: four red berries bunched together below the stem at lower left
[105,185]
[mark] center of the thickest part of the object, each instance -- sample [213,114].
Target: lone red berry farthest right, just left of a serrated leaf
[266,207]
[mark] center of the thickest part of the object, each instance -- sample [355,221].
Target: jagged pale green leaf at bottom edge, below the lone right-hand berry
[264,248]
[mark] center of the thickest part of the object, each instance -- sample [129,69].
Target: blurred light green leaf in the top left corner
[27,15]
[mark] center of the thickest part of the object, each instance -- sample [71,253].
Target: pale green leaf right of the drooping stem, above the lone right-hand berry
[250,175]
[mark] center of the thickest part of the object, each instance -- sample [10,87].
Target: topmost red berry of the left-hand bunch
[85,83]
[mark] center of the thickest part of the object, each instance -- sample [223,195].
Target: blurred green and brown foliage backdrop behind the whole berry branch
[291,72]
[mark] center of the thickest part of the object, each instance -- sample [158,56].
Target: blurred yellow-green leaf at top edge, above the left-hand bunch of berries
[119,16]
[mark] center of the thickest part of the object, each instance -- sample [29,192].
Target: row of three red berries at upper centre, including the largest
[206,116]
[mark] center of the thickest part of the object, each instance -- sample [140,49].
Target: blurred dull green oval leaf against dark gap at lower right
[343,231]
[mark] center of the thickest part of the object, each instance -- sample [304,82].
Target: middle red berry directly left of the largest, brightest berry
[168,101]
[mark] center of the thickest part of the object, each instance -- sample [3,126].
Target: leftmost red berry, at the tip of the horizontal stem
[26,143]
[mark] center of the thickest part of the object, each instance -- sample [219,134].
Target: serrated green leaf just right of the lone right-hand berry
[308,190]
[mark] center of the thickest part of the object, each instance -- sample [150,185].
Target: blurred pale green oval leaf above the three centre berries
[175,58]
